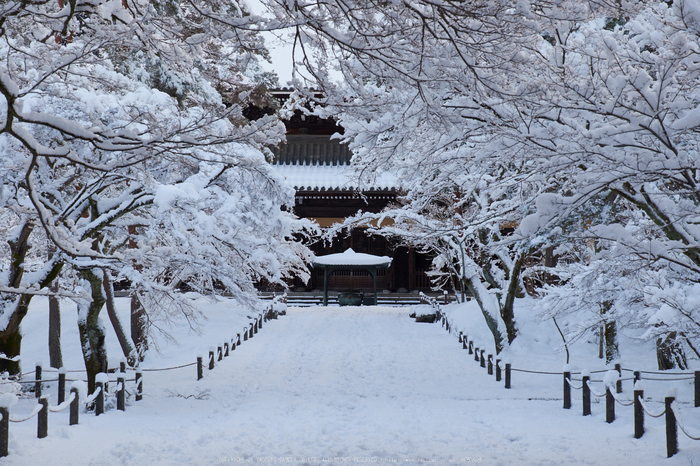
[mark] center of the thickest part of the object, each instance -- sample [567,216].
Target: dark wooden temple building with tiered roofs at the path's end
[318,167]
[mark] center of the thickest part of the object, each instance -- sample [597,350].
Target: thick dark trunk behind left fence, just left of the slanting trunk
[92,335]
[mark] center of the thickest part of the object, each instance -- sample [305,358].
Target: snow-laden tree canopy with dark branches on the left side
[123,121]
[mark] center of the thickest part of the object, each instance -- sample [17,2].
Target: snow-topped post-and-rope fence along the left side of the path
[96,400]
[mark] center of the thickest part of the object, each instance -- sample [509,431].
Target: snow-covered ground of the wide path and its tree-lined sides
[346,385]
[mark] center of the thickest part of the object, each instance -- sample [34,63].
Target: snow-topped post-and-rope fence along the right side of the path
[612,384]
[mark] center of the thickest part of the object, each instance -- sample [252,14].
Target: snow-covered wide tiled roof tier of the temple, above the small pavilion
[332,178]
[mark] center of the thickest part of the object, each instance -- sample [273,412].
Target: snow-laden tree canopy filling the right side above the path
[577,101]
